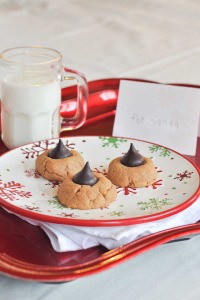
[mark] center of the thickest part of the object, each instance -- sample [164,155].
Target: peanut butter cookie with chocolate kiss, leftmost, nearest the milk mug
[59,163]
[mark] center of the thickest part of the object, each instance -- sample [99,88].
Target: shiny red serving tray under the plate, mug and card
[25,250]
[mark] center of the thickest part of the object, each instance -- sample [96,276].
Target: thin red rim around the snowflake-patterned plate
[105,223]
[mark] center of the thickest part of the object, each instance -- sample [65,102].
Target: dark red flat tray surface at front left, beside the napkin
[29,243]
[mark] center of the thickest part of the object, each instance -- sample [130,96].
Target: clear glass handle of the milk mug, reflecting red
[82,99]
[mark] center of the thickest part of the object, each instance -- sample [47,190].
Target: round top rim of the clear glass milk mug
[31,47]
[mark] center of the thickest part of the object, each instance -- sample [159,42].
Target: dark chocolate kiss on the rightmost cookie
[132,158]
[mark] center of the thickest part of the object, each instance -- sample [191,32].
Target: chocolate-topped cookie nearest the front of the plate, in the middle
[87,190]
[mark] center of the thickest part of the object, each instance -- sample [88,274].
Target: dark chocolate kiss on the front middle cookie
[85,176]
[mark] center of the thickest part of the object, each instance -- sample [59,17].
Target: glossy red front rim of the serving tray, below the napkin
[23,270]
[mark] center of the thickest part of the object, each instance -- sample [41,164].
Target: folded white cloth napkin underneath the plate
[70,238]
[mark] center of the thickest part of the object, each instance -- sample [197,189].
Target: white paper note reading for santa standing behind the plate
[157,113]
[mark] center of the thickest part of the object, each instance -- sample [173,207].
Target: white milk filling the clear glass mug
[30,109]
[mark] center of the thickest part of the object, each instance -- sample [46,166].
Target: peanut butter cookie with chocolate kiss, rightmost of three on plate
[132,170]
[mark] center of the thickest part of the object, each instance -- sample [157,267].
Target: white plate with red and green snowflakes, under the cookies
[26,193]
